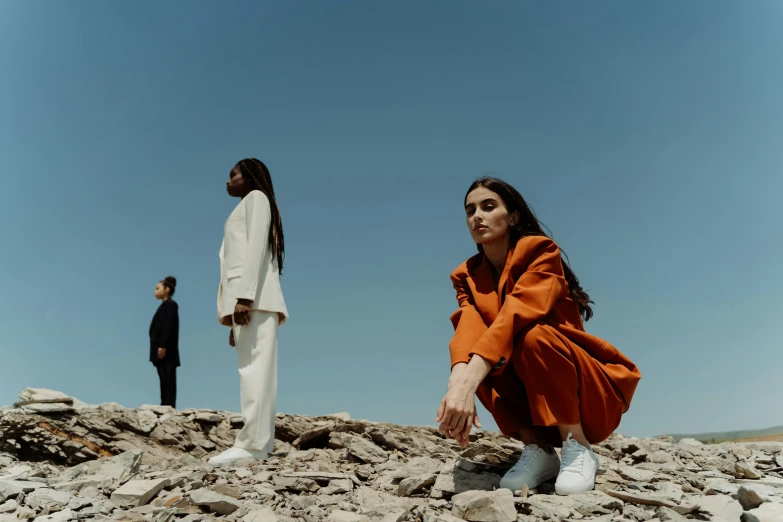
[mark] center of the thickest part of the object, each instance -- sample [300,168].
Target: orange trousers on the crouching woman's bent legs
[551,381]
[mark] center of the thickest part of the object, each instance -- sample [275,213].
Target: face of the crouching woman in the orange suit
[487,216]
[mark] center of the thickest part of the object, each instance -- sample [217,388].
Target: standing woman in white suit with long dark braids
[250,302]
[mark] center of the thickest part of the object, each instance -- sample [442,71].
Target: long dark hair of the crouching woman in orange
[529,225]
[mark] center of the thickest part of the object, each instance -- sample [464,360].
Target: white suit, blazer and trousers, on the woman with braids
[248,270]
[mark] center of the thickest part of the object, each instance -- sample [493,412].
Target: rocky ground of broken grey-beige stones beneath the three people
[63,460]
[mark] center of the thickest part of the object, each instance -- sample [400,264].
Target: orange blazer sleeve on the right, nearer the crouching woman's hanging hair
[534,295]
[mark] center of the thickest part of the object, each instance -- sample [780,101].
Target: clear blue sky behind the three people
[645,135]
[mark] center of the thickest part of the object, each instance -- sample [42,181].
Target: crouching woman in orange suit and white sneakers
[520,345]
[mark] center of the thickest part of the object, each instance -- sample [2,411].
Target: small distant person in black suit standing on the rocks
[164,341]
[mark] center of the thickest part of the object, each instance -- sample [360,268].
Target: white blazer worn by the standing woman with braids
[248,270]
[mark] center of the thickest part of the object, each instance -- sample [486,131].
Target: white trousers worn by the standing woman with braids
[256,345]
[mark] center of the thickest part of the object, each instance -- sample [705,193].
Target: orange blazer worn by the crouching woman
[532,290]
